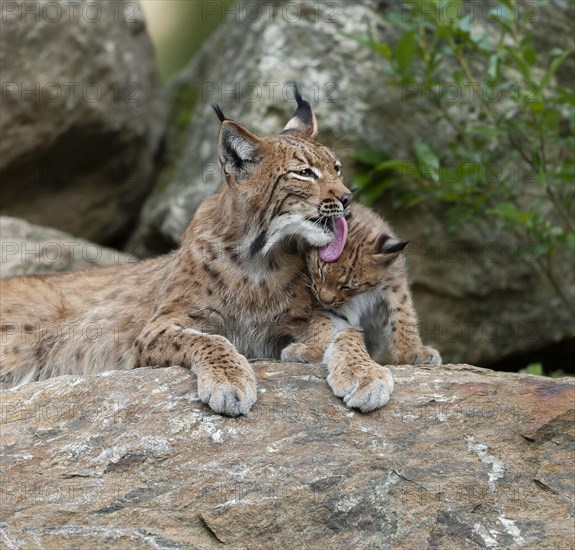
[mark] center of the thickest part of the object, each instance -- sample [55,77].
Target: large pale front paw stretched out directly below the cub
[367,391]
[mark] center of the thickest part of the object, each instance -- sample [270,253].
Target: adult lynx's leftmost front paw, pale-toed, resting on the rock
[230,391]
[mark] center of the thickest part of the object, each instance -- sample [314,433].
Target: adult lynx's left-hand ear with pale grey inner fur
[238,149]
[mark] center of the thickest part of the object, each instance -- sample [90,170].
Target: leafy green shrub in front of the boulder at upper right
[512,158]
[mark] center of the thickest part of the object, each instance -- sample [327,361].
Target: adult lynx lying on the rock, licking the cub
[233,290]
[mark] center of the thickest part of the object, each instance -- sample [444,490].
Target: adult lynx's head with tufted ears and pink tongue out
[290,185]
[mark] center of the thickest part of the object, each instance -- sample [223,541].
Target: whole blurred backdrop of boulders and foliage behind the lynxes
[454,119]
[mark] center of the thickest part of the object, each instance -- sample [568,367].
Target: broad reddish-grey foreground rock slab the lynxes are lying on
[461,458]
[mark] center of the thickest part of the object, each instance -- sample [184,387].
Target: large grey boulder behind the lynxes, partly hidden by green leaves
[479,299]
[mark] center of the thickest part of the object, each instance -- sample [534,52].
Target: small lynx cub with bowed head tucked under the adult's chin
[368,288]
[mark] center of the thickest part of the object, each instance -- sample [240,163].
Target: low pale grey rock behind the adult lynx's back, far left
[31,249]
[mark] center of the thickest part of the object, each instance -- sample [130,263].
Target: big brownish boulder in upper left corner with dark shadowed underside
[82,114]
